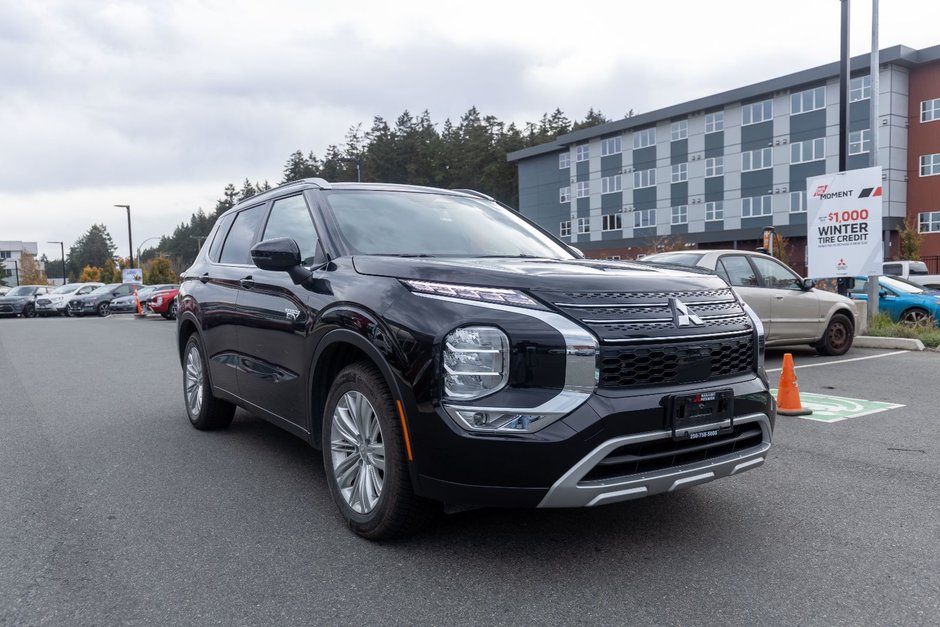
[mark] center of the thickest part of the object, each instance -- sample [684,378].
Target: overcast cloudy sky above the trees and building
[160,104]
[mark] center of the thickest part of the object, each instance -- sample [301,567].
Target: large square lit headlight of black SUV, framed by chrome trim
[476,362]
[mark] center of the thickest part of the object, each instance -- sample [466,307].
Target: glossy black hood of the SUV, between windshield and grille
[537,274]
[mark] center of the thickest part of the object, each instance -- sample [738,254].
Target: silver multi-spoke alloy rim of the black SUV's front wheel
[358,452]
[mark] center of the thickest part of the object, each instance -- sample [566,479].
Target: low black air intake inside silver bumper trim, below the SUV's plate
[666,453]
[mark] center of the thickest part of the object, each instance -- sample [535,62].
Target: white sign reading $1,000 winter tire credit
[843,221]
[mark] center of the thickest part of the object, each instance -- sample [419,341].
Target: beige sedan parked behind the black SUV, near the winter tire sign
[793,312]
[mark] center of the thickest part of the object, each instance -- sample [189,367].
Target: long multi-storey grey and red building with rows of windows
[717,170]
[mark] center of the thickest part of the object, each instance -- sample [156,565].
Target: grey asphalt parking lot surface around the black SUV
[114,510]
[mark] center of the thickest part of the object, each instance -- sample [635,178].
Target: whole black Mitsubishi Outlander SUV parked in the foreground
[439,348]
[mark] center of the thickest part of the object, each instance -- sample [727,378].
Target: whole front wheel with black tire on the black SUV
[368,474]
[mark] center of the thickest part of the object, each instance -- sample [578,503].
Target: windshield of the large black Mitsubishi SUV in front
[419,223]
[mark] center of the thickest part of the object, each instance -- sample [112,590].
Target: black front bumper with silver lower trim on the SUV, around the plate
[615,447]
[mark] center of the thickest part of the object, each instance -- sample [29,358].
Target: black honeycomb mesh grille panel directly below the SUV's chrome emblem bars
[686,362]
